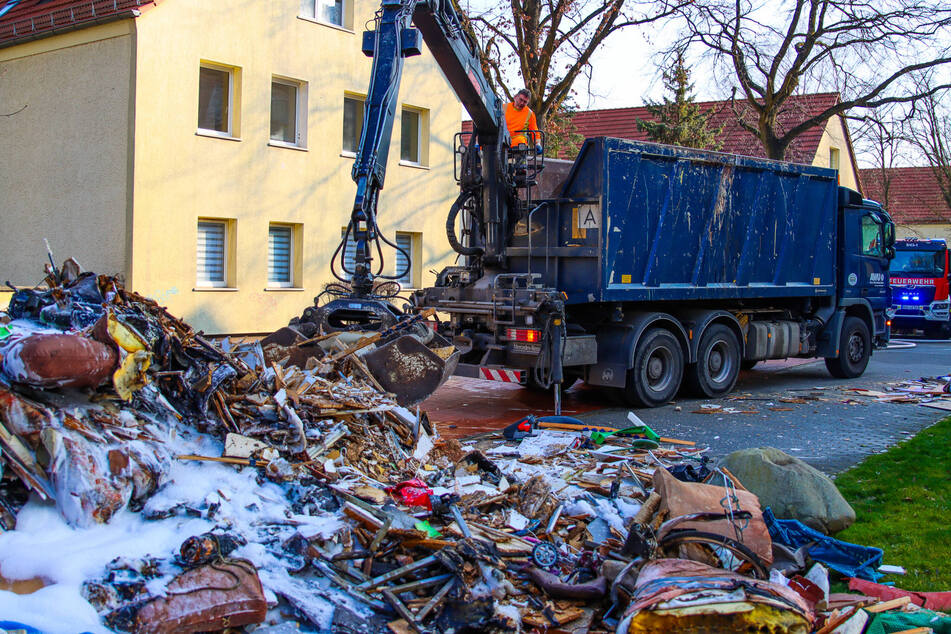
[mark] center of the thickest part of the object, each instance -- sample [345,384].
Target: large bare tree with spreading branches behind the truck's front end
[866,50]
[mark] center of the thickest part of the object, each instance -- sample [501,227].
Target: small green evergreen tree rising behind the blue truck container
[679,121]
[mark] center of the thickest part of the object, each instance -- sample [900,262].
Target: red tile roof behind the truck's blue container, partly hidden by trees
[622,122]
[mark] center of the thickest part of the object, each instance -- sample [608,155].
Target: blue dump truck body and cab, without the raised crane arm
[654,267]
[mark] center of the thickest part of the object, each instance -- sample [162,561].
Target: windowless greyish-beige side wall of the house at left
[65,157]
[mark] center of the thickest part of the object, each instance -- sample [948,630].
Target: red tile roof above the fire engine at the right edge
[914,196]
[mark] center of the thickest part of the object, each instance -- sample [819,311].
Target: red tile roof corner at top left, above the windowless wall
[22,20]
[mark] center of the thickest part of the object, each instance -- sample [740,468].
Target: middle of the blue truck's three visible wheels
[718,363]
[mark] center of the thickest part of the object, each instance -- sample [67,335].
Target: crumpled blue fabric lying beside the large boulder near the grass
[848,559]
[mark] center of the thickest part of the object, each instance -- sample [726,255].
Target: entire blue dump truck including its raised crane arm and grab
[649,268]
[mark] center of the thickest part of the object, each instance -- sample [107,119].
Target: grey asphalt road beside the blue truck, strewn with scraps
[832,431]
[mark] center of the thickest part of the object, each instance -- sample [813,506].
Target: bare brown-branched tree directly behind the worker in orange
[545,45]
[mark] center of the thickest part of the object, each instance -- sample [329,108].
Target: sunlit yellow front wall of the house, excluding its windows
[181,176]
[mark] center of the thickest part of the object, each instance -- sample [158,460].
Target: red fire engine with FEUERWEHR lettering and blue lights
[919,283]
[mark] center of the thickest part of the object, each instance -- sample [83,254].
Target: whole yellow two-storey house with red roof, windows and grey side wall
[203,150]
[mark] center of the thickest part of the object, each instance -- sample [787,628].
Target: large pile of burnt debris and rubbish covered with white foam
[275,484]
